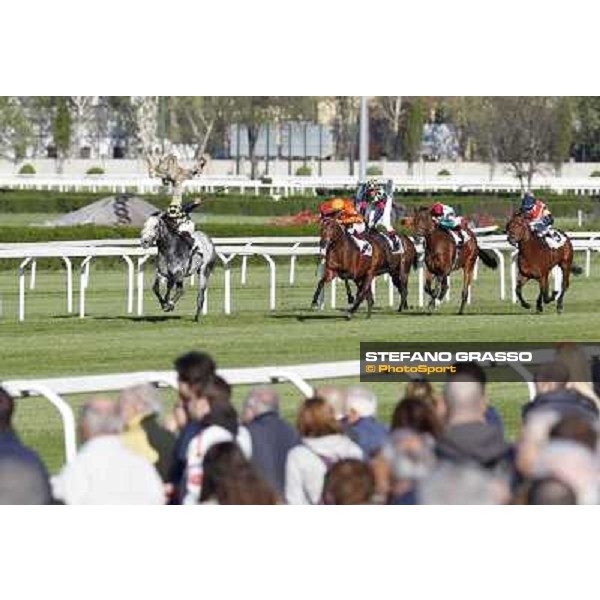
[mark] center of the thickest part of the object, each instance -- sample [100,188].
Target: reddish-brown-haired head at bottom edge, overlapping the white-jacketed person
[349,481]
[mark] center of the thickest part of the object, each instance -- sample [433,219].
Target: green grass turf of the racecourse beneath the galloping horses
[51,343]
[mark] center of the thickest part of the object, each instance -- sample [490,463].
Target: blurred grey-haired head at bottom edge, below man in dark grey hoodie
[462,484]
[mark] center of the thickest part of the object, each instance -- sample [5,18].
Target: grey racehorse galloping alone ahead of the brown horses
[176,261]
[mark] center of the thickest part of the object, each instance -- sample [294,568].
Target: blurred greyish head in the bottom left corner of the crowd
[22,482]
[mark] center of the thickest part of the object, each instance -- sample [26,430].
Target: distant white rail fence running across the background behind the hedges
[285,186]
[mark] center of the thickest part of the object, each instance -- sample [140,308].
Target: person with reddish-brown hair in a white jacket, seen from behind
[323,444]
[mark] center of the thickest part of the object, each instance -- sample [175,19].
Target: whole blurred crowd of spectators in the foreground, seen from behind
[445,447]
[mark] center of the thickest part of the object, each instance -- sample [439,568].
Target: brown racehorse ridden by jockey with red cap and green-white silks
[442,256]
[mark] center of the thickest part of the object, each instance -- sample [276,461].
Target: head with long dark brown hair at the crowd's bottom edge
[229,478]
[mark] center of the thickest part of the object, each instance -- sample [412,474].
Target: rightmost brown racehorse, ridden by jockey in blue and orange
[535,260]
